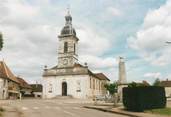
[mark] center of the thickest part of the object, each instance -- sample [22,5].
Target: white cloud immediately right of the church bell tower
[91,42]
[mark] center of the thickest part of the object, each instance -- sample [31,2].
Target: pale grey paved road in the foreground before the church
[56,108]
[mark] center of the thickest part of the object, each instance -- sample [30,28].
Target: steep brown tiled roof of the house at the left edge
[5,72]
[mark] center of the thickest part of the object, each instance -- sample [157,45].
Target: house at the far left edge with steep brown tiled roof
[9,84]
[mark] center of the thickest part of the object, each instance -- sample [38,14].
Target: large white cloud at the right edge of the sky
[150,40]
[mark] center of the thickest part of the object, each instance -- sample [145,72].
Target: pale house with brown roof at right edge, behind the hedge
[167,85]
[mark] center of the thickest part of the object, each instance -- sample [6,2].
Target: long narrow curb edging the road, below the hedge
[111,111]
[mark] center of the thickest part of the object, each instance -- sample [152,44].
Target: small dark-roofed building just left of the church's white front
[37,90]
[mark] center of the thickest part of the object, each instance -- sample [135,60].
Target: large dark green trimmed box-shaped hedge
[142,98]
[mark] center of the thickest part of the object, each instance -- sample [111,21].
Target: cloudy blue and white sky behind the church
[134,29]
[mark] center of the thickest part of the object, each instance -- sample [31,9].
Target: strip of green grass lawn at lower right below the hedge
[162,111]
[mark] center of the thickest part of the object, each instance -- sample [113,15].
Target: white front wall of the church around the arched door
[72,86]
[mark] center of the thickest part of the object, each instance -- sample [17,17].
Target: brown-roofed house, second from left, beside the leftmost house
[25,88]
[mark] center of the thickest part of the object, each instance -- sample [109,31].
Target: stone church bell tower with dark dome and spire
[68,42]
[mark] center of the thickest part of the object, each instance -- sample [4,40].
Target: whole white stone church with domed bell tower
[69,77]
